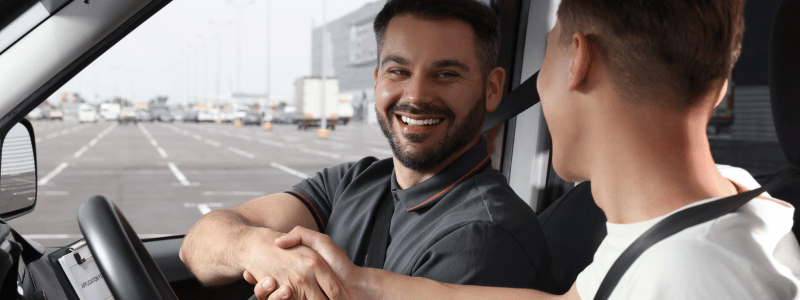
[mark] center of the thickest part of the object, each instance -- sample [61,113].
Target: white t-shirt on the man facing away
[747,254]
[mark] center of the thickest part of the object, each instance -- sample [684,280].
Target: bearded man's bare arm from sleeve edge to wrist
[226,242]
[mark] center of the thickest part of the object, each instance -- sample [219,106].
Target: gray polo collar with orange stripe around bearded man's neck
[429,192]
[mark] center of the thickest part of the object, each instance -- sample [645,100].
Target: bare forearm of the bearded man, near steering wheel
[213,248]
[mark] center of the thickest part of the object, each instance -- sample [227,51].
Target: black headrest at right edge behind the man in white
[784,78]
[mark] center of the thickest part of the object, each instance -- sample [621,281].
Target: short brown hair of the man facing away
[683,45]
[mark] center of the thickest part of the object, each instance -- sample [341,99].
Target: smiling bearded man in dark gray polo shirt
[455,219]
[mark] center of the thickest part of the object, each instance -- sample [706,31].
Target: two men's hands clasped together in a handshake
[315,268]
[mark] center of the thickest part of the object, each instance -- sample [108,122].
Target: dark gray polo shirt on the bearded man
[464,225]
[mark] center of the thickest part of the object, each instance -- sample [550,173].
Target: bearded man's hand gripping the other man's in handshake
[302,270]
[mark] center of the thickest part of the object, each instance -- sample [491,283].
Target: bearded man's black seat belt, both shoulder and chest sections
[517,101]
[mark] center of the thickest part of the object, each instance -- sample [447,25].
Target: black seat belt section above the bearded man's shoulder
[517,101]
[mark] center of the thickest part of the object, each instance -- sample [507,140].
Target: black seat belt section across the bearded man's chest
[379,241]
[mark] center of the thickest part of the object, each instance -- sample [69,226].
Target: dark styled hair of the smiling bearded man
[482,19]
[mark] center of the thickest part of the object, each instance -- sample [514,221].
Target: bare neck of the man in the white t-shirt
[645,170]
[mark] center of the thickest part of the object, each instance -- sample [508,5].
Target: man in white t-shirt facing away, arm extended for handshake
[627,88]
